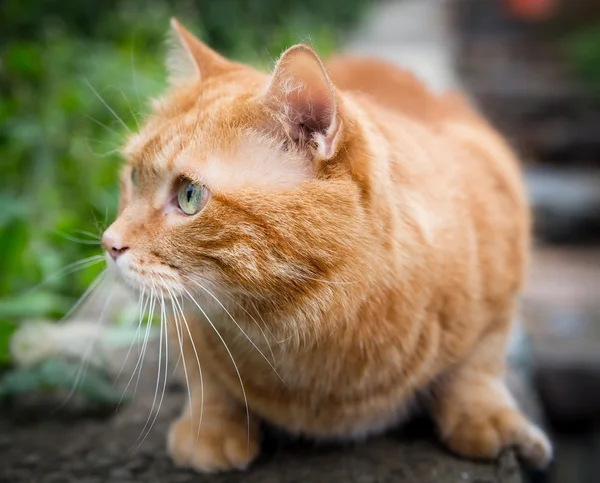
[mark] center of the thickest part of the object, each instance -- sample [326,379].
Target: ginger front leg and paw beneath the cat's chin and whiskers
[216,432]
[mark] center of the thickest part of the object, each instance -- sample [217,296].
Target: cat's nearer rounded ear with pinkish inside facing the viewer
[304,100]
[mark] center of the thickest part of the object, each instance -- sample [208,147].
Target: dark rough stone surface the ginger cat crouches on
[37,444]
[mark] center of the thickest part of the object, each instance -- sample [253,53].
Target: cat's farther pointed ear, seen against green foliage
[190,60]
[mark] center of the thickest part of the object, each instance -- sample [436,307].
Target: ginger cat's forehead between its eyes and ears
[224,159]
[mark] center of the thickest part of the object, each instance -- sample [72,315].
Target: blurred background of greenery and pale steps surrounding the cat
[75,76]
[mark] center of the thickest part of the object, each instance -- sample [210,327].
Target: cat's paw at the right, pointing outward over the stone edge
[485,436]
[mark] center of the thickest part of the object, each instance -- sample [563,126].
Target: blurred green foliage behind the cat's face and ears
[58,141]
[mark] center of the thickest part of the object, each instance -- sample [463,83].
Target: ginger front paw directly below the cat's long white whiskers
[220,446]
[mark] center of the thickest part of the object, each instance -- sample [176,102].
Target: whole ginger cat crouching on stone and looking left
[335,241]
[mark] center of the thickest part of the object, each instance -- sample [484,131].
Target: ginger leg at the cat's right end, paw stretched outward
[478,417]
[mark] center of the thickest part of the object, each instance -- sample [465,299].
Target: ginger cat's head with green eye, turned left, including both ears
[239,182]
